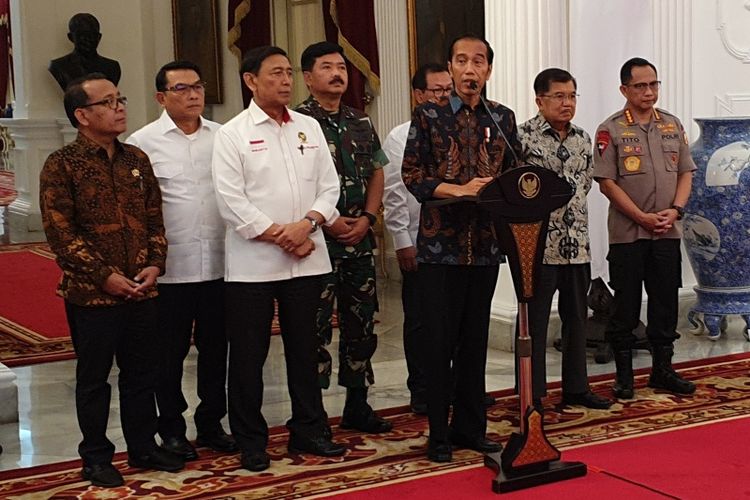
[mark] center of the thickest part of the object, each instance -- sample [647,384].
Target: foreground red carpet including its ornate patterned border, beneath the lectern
[678,445]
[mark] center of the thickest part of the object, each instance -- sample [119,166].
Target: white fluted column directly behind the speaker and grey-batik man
[527,37]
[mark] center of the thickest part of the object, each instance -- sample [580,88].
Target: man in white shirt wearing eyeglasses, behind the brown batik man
[191,292]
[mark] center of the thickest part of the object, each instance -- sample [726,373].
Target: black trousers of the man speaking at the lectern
[455,309]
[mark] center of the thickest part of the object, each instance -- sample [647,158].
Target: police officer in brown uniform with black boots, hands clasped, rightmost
[643,165]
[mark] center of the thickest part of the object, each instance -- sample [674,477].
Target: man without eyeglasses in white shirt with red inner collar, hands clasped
[276,185]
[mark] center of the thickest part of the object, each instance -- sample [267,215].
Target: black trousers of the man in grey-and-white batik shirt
[572,281]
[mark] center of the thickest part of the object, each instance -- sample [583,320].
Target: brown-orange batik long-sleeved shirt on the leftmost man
[101,216]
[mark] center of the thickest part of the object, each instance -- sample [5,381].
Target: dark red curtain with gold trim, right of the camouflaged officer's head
[352,25]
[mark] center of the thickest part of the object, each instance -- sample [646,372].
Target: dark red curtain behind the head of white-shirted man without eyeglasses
[249,26]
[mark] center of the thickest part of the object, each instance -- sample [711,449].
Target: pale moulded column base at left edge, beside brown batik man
[34,140]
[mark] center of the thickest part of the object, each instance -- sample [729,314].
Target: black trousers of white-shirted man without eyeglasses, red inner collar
[249,312]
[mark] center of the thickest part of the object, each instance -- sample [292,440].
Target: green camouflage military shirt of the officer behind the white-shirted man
[356,152]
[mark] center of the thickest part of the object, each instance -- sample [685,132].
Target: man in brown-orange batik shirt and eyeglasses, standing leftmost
[101,209]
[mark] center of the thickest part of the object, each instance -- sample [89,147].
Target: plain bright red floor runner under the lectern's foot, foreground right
[702,462]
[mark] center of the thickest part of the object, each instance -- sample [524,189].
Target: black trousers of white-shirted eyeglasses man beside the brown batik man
[192,310]
